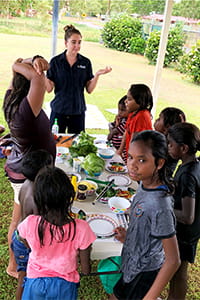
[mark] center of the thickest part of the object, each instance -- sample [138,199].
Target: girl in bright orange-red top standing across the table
[139,103]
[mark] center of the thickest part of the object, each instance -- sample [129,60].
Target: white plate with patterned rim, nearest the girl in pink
[103,226]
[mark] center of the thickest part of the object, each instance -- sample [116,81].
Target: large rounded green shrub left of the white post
[118,32]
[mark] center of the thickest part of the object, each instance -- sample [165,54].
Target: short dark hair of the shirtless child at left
[35,160]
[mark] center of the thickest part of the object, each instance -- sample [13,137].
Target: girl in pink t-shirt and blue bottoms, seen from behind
[57,241]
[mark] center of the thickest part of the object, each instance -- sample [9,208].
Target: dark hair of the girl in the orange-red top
[142,95]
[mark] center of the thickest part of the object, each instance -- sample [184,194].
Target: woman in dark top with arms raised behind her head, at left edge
[29,127]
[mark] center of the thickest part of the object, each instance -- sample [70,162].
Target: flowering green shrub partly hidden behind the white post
[174,46]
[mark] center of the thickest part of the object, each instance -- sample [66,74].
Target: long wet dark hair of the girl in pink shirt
[54,195]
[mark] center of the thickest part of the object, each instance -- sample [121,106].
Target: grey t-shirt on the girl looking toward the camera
[151,220]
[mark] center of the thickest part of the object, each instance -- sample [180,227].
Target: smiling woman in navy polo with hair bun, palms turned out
[69,74]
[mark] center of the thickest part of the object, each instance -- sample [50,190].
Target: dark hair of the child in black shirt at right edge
[186,133]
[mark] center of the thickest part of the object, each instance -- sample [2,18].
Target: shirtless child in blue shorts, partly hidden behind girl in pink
[31,164]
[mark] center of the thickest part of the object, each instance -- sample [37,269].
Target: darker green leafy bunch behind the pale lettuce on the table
[84,145]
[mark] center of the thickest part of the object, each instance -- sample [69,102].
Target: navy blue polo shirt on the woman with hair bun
[69,83]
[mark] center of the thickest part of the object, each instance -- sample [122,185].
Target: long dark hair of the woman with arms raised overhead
[20,89]
